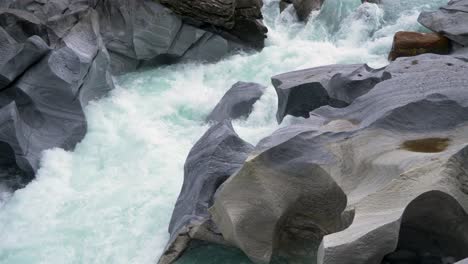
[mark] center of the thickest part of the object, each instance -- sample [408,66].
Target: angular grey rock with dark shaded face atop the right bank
[302,91]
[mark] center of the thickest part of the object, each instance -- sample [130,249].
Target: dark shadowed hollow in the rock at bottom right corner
[434,229]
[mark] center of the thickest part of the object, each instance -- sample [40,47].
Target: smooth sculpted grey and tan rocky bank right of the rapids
[372,170]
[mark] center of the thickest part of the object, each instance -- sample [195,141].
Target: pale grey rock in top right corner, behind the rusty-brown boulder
[450,21]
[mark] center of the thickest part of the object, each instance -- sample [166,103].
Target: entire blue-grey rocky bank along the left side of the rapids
[56,56]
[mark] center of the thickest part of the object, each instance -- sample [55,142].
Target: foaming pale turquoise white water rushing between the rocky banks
[110,200]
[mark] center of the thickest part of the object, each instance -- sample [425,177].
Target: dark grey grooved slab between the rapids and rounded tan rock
[216,156]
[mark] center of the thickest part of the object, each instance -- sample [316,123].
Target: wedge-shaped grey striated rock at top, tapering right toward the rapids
[144,33]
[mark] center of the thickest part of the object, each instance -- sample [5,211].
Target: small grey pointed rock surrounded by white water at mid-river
[237,102]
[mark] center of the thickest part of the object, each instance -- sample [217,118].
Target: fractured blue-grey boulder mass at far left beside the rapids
[46,84]
